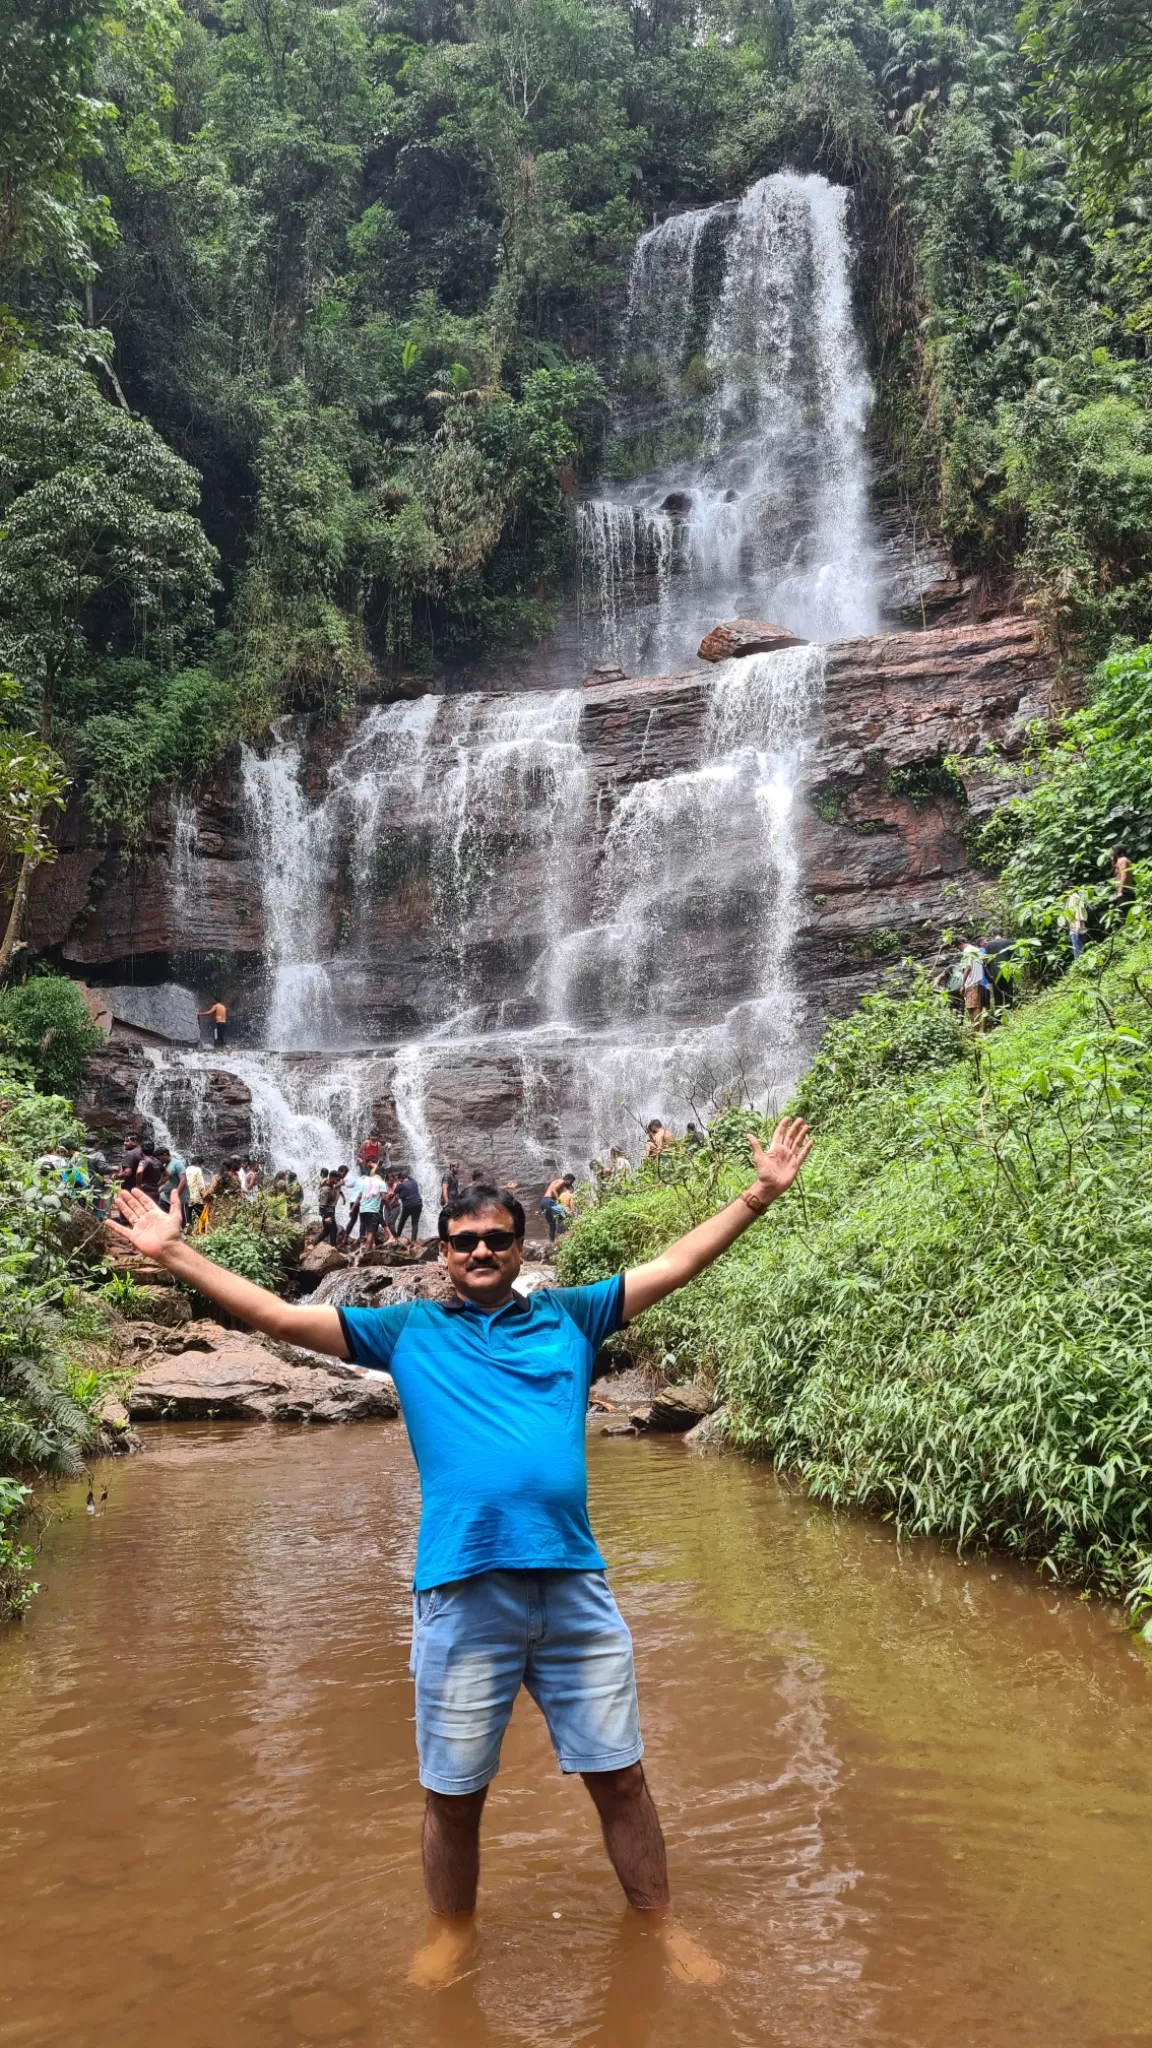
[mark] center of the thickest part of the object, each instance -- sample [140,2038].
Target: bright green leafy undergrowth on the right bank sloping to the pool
[952,1322]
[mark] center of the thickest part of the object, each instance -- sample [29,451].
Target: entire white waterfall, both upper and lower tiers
[479,937]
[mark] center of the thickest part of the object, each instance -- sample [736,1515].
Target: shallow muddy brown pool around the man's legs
[907,1799]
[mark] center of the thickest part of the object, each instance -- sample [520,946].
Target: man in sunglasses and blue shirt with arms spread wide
[509,1584]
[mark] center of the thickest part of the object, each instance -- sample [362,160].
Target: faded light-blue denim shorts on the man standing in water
[559,1633]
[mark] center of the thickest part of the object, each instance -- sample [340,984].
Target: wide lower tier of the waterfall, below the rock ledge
[612,1021]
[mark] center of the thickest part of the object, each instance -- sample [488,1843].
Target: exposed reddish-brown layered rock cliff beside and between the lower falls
[882,845]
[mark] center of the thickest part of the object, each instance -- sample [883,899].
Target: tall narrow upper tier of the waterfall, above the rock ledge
[770,517]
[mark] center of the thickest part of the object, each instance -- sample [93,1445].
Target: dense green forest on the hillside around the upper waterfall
[311,314]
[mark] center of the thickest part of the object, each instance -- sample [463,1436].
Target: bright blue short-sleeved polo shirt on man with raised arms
[495,1414]
